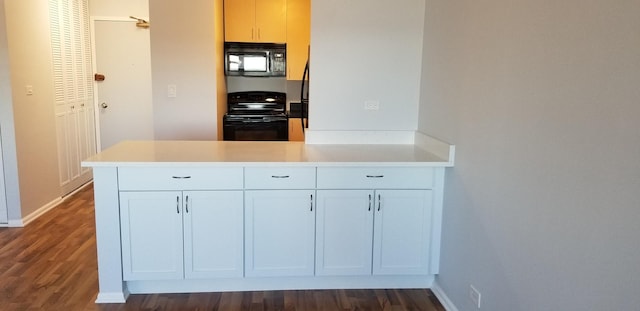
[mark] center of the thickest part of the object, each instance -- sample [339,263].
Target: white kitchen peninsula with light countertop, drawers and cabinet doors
[197,216]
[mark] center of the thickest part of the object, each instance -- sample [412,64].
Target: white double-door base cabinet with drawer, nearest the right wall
[396,209]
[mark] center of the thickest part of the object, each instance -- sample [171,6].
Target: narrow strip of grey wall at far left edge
[7,132]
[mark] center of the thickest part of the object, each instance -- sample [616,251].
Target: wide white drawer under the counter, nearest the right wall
[375,177]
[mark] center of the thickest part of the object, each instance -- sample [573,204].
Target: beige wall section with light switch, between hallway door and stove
[183,53]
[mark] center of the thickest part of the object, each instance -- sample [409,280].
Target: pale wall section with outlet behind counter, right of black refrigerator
[365,50]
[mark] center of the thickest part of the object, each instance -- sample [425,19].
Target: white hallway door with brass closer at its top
[123,99]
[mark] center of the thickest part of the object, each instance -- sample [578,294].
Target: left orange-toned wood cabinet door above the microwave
[239,20]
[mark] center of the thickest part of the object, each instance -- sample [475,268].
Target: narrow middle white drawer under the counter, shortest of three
[280,177]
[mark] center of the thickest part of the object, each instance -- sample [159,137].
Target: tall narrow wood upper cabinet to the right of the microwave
[298,37]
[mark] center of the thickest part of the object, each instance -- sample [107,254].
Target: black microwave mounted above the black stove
[255,59]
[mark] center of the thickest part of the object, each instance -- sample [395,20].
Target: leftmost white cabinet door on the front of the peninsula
[151,233]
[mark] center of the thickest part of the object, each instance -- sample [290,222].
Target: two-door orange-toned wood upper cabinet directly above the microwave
[255,21]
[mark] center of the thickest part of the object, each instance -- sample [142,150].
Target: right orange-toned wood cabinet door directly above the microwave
[271,21]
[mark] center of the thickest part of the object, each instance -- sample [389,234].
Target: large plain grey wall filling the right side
[541,98]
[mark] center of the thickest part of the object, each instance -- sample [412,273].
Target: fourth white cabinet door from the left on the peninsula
[344,232]
